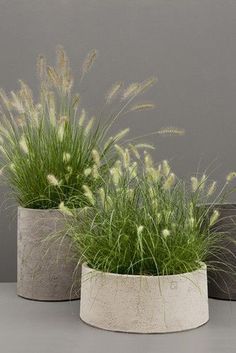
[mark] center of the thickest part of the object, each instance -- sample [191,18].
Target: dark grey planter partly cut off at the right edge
[222,280]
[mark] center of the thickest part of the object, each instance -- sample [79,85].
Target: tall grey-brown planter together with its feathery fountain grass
[50,148]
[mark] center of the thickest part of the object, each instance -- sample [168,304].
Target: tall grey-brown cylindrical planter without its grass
[46,269]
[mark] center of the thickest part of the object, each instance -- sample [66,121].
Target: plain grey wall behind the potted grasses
[189,44]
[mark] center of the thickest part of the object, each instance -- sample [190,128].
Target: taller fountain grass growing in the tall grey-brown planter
[50,147]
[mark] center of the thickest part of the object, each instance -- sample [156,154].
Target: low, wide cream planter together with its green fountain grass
[144,249]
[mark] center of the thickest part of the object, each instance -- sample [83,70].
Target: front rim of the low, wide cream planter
[203,266]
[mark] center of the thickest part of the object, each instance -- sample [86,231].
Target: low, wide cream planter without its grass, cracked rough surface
[144,304]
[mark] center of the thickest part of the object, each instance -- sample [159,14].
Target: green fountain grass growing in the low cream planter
[147,222]
